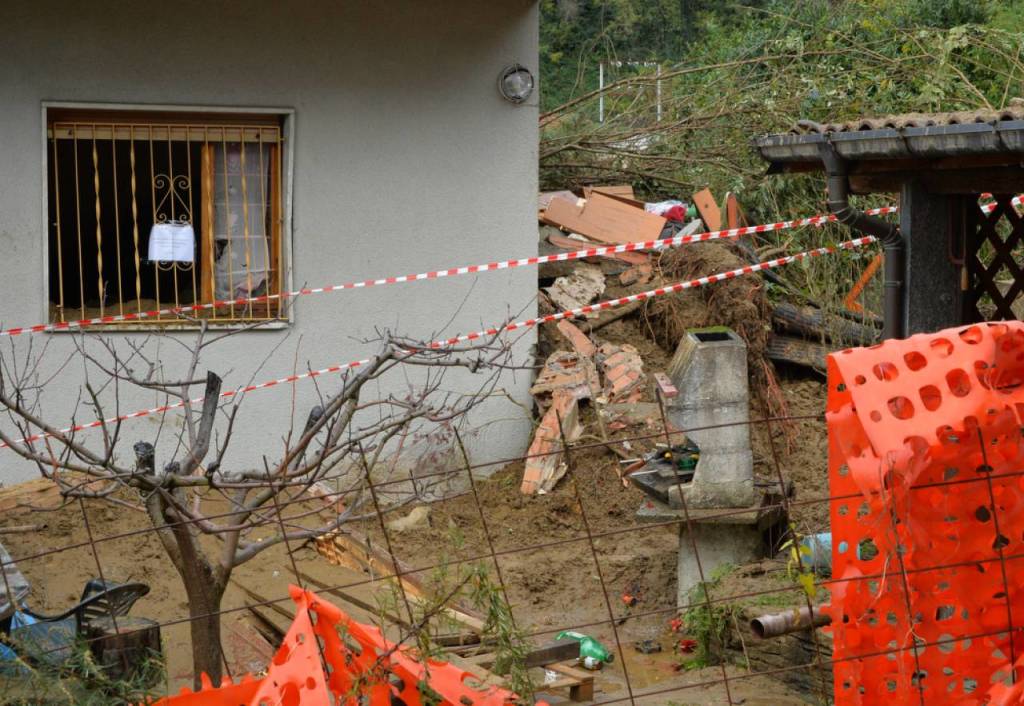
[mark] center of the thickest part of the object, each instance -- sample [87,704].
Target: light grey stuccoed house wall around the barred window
[405,158]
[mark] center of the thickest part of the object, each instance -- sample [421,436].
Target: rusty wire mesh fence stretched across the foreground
[287,513]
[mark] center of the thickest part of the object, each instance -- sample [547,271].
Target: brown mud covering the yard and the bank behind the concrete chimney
[556,584]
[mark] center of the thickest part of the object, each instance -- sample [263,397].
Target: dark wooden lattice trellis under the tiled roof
[995,248]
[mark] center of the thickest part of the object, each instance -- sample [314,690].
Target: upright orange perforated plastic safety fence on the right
[929,559]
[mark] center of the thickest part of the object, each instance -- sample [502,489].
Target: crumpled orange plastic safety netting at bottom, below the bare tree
[362,668]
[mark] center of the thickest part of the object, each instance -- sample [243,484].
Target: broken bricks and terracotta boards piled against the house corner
[594,382]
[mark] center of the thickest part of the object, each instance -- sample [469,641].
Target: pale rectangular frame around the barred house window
[286,155]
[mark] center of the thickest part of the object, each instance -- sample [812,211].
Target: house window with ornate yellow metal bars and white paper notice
[159,211]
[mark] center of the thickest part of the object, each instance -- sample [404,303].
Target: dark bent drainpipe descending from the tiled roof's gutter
[888,234]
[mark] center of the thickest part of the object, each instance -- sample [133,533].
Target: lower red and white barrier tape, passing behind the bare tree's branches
[612,304]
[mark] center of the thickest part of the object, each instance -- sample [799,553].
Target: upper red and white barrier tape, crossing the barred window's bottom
[438,274]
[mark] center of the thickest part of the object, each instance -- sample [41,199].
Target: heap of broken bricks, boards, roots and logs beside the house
[598,380]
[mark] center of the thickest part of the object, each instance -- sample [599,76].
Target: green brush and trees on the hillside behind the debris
[731,72]
